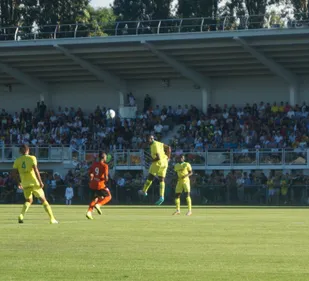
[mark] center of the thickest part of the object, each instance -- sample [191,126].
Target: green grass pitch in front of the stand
[148,244]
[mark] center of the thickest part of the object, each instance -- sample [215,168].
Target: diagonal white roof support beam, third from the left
[196,77]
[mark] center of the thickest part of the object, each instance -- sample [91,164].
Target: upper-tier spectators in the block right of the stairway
[254,126]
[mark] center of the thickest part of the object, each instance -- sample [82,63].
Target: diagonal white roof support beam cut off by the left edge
[26,79]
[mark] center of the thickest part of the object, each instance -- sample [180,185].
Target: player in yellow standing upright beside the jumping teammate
[184,172]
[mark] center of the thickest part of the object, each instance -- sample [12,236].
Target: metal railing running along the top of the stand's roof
[174,25]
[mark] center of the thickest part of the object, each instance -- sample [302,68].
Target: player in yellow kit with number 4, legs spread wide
[30,181]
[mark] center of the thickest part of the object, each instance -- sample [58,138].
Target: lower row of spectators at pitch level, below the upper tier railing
[216,187]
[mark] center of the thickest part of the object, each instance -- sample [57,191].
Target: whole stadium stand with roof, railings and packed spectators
[226,144]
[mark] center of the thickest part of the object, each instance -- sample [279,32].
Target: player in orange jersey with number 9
[98,174]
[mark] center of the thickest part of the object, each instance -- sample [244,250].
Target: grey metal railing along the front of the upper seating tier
[211,159]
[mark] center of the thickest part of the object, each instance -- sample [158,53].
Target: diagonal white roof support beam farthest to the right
[276,68]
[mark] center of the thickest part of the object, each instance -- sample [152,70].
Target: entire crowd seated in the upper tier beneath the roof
[255,126]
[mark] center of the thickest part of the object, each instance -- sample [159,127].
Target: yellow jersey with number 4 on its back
[24,164]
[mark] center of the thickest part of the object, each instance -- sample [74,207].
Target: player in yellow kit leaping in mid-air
[160,154]
